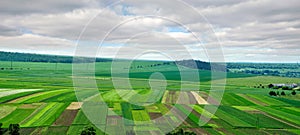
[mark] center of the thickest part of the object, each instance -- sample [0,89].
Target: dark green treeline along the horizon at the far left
[26,57]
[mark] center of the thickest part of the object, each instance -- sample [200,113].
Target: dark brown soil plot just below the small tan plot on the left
[66,118]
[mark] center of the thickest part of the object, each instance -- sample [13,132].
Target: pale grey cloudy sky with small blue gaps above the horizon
[244,30]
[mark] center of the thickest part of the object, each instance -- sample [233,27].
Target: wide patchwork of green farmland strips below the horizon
[41,98]
